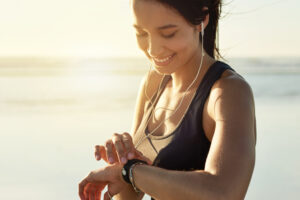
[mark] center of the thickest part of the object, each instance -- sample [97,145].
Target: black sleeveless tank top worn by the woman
[186,148]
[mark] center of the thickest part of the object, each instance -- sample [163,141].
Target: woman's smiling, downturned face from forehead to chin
[166,38]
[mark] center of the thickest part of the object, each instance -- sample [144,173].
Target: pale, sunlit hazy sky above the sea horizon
[100,28]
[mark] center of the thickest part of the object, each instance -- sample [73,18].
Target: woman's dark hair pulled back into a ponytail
[193,12]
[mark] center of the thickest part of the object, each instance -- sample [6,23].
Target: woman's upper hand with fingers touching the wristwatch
[119,149]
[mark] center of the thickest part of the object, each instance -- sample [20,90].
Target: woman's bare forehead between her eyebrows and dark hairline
[150,14]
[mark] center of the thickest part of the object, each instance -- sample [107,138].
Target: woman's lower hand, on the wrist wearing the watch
[91,187]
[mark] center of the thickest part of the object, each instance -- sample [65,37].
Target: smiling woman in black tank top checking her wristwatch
[194,122]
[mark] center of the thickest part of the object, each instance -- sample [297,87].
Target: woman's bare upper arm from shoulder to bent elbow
[232,153]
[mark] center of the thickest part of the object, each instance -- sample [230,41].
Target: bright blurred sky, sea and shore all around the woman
[69,76]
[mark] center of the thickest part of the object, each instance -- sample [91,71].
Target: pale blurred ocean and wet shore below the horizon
[54,110]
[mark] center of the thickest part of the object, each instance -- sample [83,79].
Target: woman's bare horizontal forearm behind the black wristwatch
[167,184]
